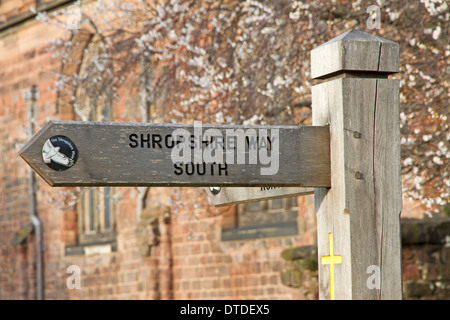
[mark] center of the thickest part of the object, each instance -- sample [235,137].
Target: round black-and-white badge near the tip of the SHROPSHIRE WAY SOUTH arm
[59,153]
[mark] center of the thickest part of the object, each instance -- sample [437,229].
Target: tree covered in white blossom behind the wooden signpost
[247,62]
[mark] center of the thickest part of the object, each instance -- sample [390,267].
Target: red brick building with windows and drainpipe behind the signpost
[124,243]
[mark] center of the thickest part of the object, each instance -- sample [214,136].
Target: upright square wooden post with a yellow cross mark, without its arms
[358,218]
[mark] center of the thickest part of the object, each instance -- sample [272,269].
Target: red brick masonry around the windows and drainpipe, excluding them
[190,261]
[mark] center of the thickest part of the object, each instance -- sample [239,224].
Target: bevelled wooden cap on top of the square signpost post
[353,51]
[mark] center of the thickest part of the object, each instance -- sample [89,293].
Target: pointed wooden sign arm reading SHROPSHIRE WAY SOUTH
[137,154]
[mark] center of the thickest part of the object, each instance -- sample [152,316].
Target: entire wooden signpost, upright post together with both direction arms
[351,157]
